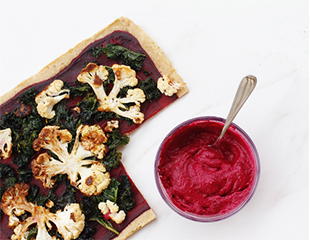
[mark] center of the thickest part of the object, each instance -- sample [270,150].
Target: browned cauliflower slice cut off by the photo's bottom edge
[69,222]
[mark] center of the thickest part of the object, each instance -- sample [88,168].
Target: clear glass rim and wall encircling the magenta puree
[207,218]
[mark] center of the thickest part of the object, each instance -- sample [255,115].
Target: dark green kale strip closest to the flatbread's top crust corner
[116,52]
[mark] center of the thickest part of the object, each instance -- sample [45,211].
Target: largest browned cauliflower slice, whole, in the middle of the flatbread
[89,176]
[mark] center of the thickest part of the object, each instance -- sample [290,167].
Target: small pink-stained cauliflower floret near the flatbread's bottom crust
[112,210]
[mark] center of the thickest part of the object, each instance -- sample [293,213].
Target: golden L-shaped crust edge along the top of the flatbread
[160,60]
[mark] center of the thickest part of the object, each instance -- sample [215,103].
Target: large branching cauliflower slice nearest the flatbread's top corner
[124,76]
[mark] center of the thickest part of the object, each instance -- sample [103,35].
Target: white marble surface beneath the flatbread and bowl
[212,44]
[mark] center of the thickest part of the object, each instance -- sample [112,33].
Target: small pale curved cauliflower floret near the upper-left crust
[49,97]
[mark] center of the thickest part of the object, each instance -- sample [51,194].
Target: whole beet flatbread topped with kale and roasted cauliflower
[60,130]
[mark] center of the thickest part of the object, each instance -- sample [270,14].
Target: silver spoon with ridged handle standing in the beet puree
[245,89]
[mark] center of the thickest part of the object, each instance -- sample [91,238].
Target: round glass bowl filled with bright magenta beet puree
[204,183]
